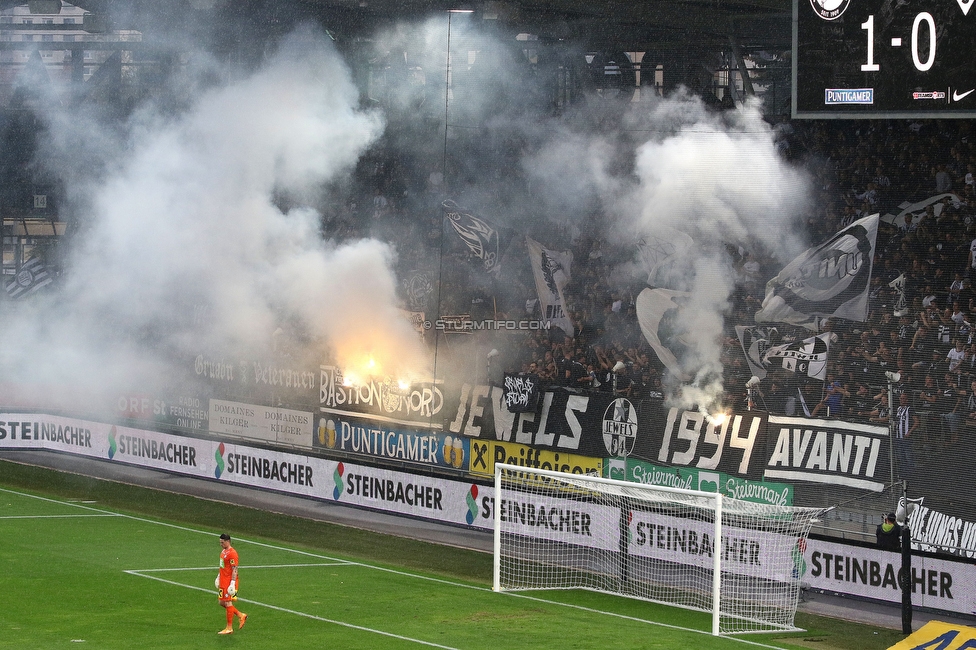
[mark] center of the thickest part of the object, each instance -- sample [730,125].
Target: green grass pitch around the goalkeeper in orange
[90,563]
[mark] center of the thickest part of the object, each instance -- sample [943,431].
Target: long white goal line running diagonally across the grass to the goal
[393,571]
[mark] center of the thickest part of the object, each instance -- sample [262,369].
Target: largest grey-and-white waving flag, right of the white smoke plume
[830,280]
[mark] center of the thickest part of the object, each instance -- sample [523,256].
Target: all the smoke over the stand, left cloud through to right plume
[202,233]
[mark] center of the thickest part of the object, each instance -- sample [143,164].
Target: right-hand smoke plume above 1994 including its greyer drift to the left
[697,181]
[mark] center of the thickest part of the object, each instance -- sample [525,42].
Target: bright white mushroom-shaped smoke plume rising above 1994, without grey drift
[719,179]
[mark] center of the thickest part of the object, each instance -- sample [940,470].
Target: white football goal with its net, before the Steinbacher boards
[737,560]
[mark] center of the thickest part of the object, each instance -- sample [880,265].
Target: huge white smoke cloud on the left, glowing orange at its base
[185,248]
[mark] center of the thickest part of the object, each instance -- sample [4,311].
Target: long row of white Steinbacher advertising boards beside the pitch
[860,570]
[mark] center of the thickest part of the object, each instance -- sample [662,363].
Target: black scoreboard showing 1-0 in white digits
[884,58]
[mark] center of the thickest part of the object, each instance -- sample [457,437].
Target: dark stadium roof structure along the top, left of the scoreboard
[681,26]
